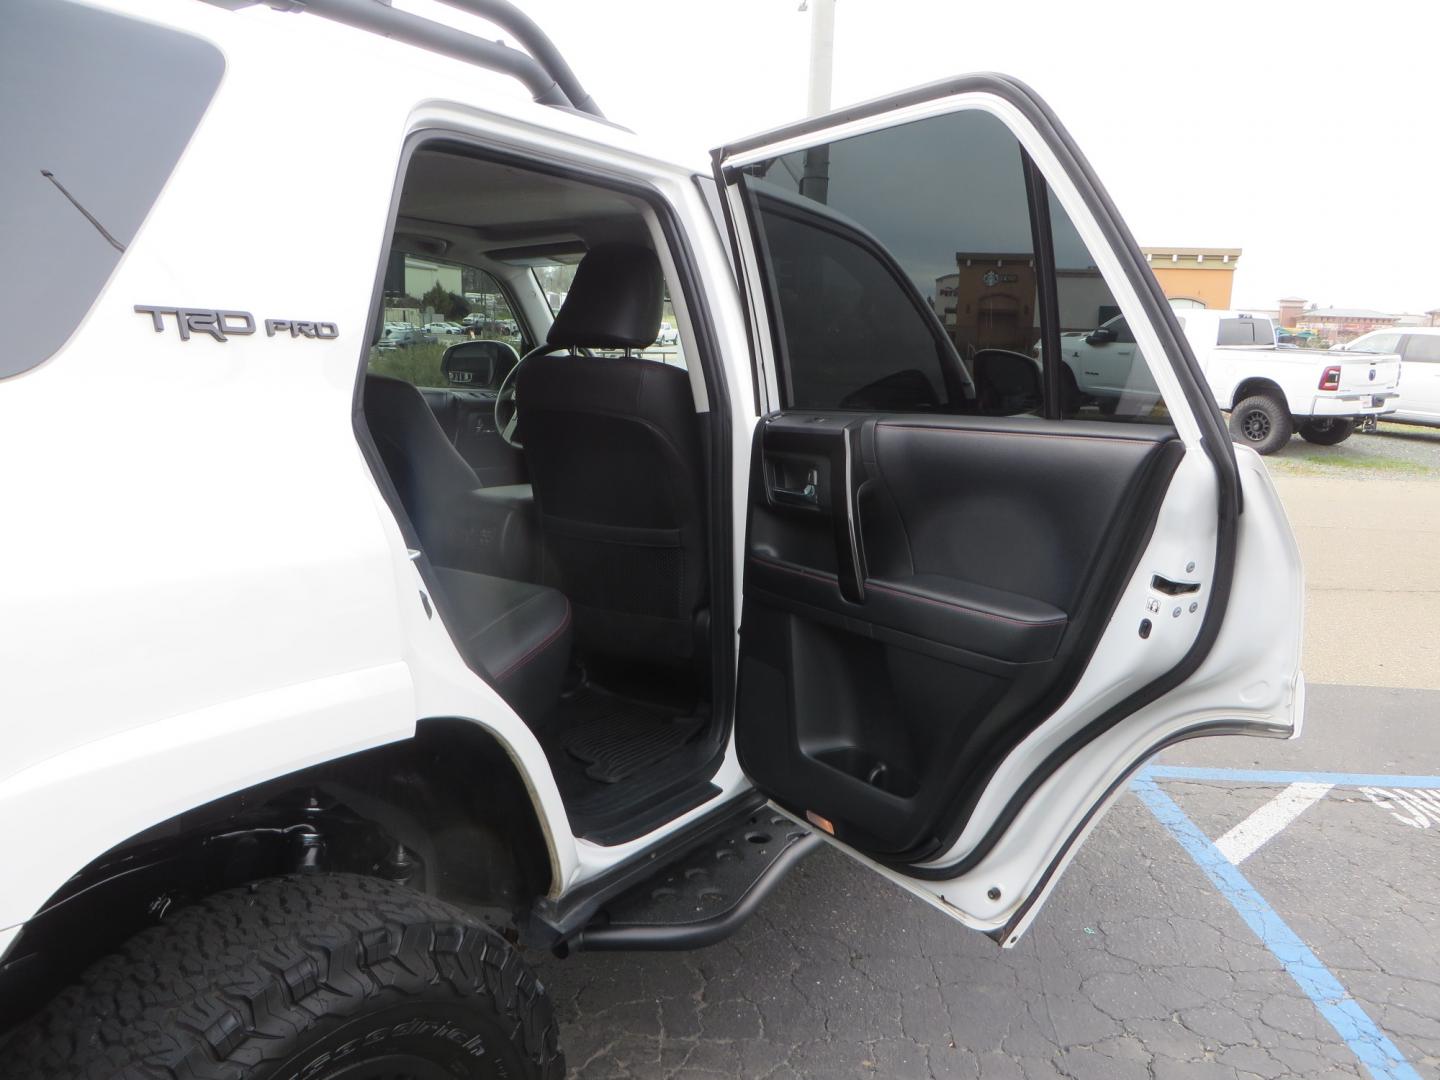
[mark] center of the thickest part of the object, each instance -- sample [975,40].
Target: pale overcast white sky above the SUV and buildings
[1305,133]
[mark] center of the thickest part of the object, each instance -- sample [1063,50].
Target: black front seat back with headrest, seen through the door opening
[613,447]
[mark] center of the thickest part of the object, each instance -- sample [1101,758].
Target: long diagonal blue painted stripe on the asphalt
[1379,1055]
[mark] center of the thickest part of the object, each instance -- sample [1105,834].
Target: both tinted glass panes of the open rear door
[904,276]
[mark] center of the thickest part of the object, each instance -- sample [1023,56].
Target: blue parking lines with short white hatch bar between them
[1380,1056]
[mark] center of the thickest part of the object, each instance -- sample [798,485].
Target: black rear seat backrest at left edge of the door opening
[426,469]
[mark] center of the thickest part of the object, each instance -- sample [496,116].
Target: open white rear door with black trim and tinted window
[981,588]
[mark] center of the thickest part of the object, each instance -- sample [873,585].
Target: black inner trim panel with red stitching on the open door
[981,558]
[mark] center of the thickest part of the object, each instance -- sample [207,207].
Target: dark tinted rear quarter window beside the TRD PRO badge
[96,110]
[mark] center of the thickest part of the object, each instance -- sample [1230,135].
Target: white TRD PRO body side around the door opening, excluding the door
[274,584]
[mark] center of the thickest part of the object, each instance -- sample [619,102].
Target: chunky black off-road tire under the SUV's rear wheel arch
[325,977]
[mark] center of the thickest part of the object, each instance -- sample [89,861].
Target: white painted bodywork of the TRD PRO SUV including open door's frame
[251,608]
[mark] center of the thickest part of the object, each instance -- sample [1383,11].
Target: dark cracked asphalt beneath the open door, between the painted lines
[1137,967]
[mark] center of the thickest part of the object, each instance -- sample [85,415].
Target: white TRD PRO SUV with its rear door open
[309,726]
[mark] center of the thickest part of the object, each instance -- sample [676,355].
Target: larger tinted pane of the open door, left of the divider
[895,257]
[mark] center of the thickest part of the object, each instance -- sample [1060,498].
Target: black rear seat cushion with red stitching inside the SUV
[515,633]
